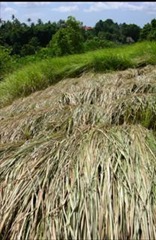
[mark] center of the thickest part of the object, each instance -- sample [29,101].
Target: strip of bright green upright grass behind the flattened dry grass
[39,75]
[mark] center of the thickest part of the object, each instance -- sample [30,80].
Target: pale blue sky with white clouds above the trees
[89,13]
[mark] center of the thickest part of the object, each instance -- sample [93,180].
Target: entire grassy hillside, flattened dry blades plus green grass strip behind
[78,159]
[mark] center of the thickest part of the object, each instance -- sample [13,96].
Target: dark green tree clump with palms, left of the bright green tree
[21,36]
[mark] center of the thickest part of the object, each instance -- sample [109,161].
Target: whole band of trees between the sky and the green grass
[68,36]
